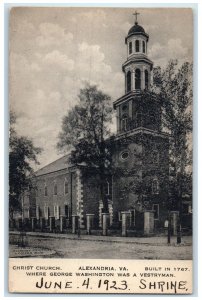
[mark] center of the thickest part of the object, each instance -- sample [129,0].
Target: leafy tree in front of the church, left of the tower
[85,131]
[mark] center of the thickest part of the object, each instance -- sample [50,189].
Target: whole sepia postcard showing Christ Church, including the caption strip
[100,143]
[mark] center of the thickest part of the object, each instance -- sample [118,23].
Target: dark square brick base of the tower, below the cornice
[145,168]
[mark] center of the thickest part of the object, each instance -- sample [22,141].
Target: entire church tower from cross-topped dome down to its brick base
[141,148]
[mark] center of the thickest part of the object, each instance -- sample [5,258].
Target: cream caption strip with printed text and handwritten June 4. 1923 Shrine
[100,278]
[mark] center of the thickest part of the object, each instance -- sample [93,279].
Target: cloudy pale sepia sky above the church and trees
[53,52]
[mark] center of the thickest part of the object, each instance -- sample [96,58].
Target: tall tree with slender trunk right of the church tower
[174,85]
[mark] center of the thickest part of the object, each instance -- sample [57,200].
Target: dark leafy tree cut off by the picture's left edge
[22,153]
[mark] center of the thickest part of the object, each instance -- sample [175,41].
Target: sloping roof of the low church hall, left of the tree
[57,165]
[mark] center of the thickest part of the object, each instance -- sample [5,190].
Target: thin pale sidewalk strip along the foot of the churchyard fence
[152,241]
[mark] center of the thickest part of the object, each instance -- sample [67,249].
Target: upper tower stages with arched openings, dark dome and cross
[135,109]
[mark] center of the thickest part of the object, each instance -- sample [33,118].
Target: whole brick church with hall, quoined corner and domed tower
[138,189]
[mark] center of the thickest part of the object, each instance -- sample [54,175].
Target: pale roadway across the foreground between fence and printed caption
[97,247]
